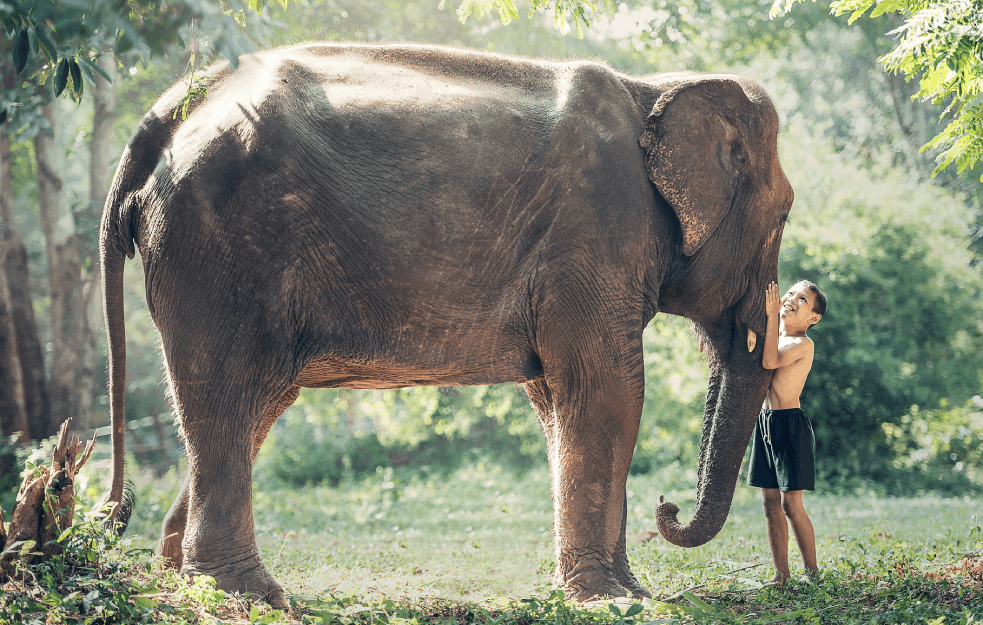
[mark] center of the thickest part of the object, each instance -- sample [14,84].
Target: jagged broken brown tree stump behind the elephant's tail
[45,506]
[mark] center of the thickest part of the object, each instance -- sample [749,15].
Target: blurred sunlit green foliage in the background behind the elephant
[895,389]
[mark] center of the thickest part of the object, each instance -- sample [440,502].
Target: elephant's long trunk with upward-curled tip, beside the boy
[734,397]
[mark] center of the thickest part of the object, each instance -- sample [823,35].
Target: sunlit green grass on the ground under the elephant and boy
[475,544]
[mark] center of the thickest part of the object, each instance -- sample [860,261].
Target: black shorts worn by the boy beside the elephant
[783,451]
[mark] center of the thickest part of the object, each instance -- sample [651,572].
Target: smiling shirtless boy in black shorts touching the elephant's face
[783,447]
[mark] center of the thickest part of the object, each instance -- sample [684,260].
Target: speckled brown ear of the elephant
[694,152]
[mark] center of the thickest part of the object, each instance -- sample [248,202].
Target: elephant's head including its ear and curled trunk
[711,151]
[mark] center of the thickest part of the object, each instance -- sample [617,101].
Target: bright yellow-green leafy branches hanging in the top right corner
[942,43]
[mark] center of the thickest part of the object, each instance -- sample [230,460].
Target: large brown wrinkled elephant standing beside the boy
[382,216]
